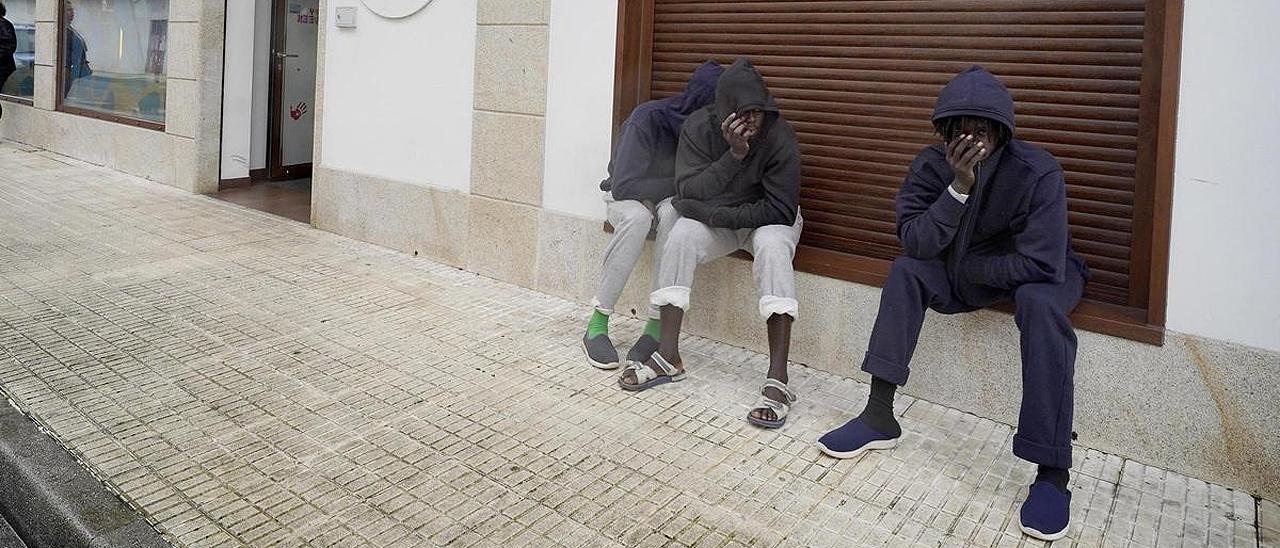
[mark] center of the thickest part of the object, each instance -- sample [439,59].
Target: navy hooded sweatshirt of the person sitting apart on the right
[1013,229]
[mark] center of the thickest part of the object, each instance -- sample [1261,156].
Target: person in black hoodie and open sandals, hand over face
[738,184]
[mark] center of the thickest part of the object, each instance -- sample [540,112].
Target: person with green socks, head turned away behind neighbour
[641,185]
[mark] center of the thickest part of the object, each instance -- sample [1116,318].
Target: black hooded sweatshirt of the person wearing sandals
[765,188]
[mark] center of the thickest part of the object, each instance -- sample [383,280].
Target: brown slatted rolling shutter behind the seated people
[858,81]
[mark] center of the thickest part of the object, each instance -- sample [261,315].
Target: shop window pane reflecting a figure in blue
[115,57]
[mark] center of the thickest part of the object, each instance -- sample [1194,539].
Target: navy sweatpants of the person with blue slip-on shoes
[1048,342]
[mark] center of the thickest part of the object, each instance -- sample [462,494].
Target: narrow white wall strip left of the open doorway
[237,92]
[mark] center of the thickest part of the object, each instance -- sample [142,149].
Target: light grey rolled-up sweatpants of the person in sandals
[692,244]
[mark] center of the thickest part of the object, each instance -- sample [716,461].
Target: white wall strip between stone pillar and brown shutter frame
[579,106]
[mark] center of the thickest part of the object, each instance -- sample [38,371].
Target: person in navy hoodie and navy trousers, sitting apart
[982,218]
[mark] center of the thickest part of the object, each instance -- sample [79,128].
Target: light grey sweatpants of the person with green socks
[632,221]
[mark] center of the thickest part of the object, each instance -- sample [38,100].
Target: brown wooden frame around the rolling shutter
[1153,202]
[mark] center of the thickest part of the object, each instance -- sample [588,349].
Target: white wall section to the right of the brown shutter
[1224,278]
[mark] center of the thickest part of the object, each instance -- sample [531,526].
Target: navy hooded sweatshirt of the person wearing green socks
[644,161]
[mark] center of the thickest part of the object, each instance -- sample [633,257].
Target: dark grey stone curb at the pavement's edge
[52,501]
